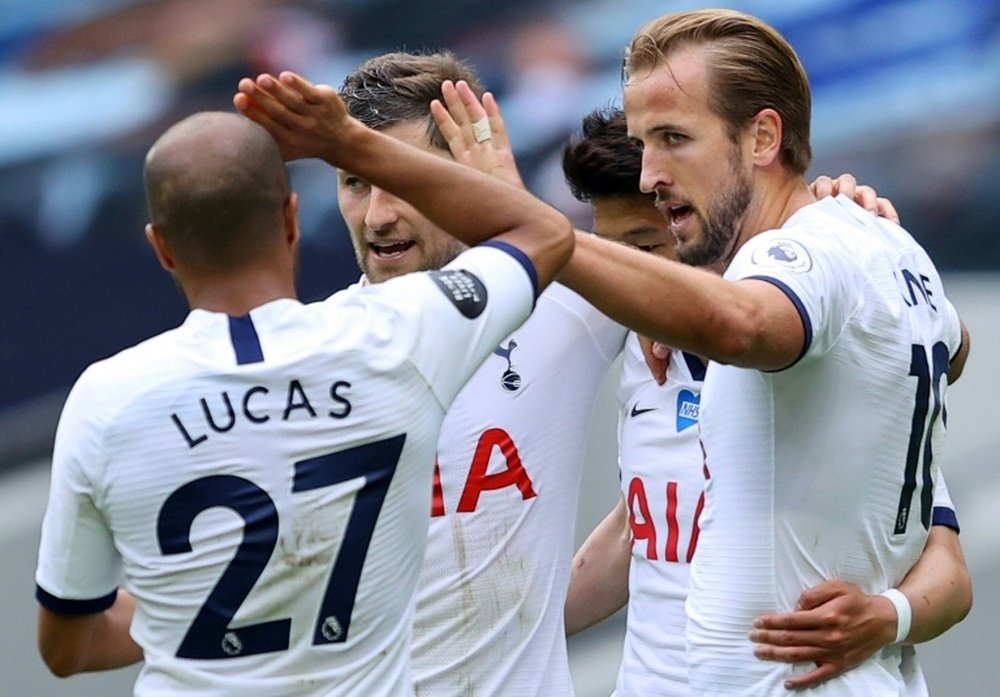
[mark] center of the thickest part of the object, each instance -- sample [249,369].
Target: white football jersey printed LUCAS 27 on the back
[263,482]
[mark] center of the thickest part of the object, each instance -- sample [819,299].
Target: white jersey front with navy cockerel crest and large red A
[489,616]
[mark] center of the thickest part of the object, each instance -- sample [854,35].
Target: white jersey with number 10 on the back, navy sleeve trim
[825,469]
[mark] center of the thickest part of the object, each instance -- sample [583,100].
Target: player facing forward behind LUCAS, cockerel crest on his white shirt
[489,612]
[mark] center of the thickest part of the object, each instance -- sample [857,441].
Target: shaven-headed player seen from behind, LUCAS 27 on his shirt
[261,474]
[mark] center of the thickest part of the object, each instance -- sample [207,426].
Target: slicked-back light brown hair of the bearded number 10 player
[751,67]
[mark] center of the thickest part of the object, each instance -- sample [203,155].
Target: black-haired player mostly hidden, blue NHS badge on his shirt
[641,553]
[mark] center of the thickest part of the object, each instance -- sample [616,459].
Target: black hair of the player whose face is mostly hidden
[602,160]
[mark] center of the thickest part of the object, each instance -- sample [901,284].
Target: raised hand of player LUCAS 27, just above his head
[307,120]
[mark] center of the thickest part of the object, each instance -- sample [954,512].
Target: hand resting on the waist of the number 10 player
[837,627]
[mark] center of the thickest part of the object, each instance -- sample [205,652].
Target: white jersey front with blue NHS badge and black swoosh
[663,481]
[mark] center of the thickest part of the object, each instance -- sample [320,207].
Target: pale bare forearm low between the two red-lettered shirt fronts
[598,586]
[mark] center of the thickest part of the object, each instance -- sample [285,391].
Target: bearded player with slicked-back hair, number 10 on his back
[830,336]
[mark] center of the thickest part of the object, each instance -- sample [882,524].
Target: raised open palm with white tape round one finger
[463,120]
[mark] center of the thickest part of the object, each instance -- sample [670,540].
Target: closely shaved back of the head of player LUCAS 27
[216,186]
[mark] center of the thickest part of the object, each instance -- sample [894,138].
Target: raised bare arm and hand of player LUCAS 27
[311,121]
